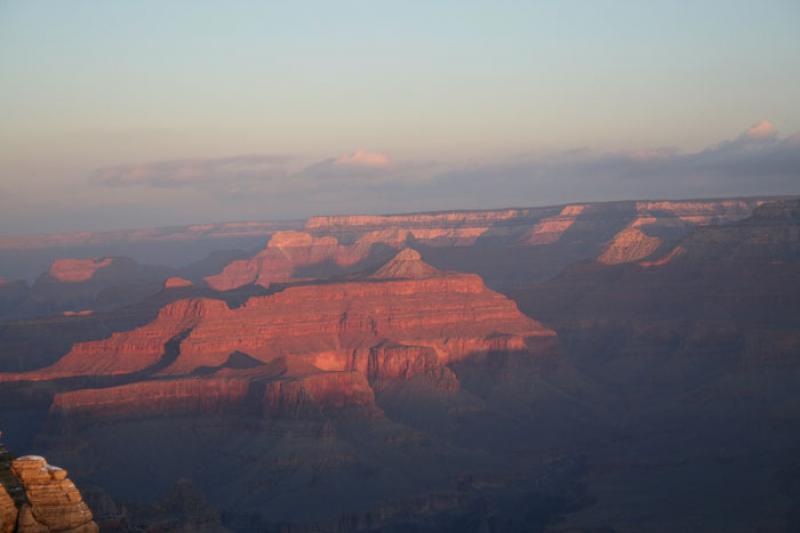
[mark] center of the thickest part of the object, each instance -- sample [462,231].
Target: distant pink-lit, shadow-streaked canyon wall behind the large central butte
[543,240]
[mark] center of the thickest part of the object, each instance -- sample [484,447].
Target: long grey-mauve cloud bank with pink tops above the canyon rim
[758,161]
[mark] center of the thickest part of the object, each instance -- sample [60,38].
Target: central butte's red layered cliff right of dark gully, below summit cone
[326,322]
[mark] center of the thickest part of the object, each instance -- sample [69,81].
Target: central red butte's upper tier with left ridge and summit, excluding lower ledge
[325,324]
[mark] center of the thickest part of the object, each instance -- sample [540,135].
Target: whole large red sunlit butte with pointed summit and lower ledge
[334,340]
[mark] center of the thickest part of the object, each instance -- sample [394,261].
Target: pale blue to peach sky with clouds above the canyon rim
[117,114]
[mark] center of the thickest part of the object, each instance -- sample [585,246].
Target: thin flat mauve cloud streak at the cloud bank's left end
[228,171]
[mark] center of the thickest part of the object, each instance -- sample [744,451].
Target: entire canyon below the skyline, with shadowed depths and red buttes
[525,369]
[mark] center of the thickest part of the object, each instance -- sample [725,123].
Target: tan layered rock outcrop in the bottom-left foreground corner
[36,497]
